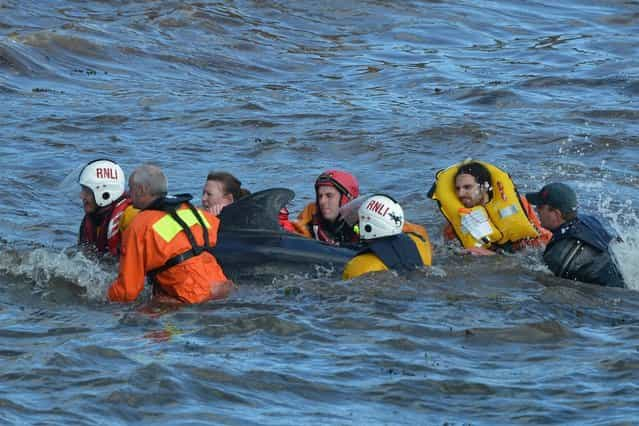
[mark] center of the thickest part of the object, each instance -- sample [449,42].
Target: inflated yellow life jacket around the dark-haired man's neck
[503,212]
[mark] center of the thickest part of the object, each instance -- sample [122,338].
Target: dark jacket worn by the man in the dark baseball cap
[580,250]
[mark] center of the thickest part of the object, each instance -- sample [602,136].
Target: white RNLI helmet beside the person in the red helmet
[380,216]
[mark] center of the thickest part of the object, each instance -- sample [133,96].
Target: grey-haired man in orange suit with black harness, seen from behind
[169,241]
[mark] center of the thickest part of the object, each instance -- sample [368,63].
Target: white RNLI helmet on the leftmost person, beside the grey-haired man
[106,180]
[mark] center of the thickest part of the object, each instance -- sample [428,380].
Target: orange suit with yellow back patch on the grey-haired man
[155,237]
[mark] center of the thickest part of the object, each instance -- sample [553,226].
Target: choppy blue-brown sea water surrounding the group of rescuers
[276,92]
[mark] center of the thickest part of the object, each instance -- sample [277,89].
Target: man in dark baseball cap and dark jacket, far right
[580,246]
